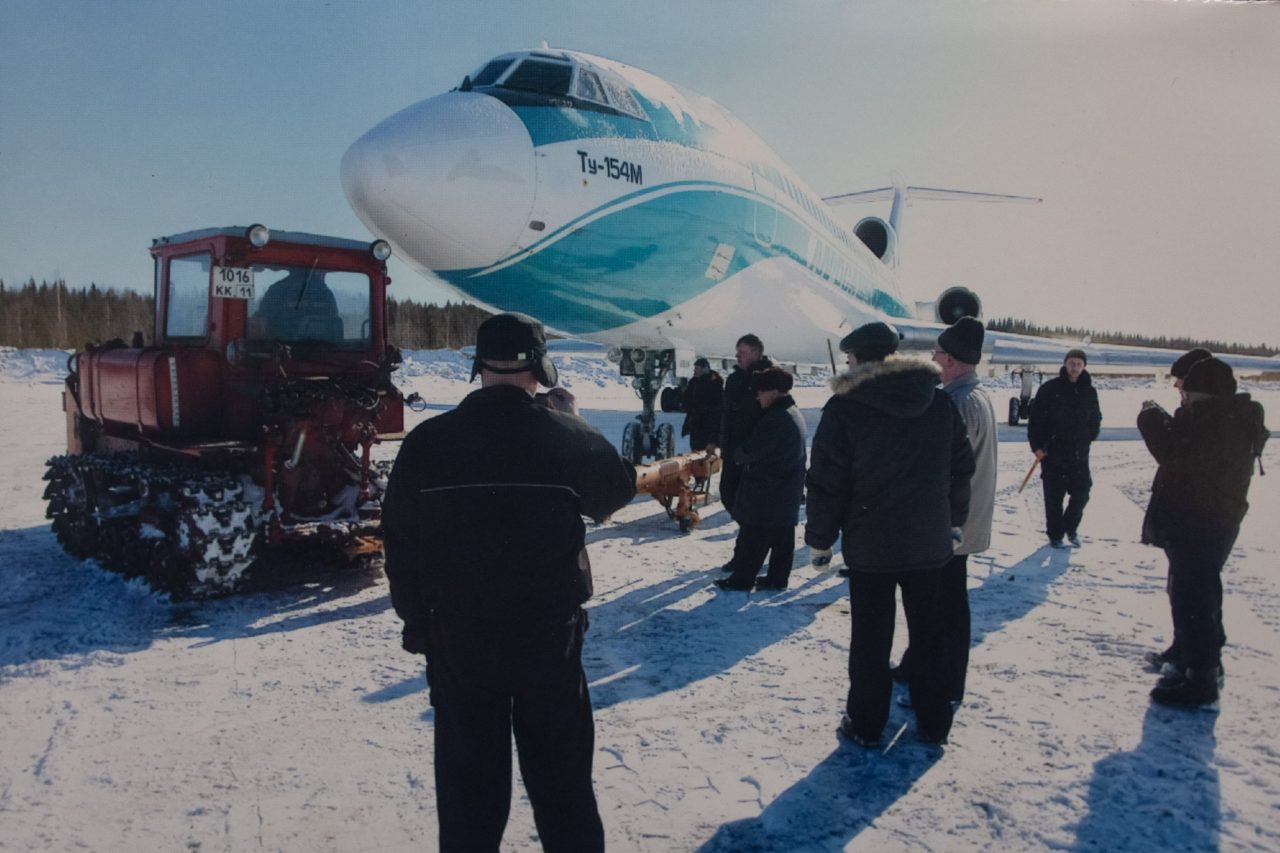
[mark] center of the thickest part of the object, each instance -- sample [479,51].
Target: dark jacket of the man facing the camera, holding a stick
[1066,419]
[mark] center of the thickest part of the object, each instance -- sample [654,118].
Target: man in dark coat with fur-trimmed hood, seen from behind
[890,471]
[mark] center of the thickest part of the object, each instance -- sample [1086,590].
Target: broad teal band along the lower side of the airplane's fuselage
[600,276]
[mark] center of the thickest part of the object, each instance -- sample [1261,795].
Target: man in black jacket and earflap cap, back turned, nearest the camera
[488,568]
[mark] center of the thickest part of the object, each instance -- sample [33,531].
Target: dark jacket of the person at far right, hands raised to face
[1206,453]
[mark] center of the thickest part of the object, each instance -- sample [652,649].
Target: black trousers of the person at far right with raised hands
[1196,597]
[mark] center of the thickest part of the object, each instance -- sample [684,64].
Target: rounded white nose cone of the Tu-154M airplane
[450,183]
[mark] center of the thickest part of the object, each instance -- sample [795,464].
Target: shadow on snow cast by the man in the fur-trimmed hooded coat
[826,810]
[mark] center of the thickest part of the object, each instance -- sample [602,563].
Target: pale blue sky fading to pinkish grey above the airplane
[1151,130]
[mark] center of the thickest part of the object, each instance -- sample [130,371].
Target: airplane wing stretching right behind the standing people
[1007,348]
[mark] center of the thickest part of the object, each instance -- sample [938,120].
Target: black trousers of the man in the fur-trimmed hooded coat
[874,608]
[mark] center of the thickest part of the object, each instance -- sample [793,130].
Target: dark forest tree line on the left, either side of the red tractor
[52,316]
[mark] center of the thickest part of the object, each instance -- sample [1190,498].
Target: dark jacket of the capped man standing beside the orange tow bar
[772,462]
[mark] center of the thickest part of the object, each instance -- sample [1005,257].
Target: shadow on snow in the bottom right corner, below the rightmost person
[1162,796]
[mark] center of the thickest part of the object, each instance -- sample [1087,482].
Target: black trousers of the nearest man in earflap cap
[496,679]
